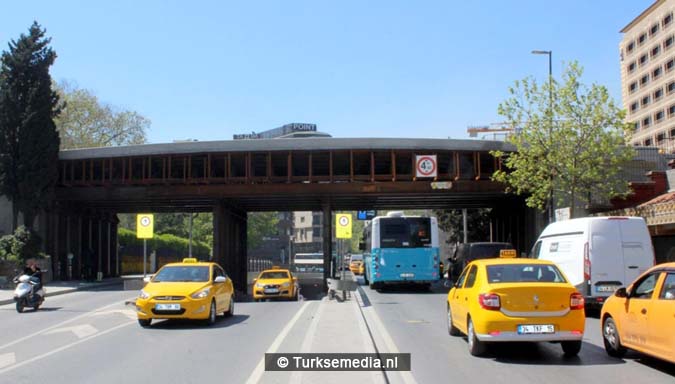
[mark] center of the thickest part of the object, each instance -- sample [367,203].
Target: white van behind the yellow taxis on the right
[597,254]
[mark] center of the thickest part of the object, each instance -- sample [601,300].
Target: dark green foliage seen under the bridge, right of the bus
[477,223]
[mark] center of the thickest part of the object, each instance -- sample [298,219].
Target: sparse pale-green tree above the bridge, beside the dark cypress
[85,122]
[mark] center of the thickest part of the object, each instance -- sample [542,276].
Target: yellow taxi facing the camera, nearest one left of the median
[187,290]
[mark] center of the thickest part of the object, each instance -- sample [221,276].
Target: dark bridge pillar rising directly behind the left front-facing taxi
[229,242]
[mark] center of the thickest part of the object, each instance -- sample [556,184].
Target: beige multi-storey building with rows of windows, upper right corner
[648,76]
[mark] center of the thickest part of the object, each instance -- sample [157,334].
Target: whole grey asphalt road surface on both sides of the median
[93,337]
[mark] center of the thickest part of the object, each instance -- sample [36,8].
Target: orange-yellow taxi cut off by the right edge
[642,316]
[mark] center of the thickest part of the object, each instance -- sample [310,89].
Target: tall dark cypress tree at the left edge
[29,142]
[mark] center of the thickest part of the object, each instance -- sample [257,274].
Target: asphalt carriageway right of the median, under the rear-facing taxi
[416,321]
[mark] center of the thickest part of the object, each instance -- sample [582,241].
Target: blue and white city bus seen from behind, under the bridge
[401,249]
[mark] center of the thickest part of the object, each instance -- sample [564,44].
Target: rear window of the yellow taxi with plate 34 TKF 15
[524,273]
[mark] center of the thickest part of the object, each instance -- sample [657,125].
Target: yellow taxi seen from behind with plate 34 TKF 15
[514,300]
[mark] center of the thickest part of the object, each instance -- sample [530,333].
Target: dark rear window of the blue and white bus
[405,232]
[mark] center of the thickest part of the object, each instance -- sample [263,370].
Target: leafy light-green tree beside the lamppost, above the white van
[571,145]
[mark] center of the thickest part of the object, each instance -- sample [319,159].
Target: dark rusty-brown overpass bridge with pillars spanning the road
[231,178]
